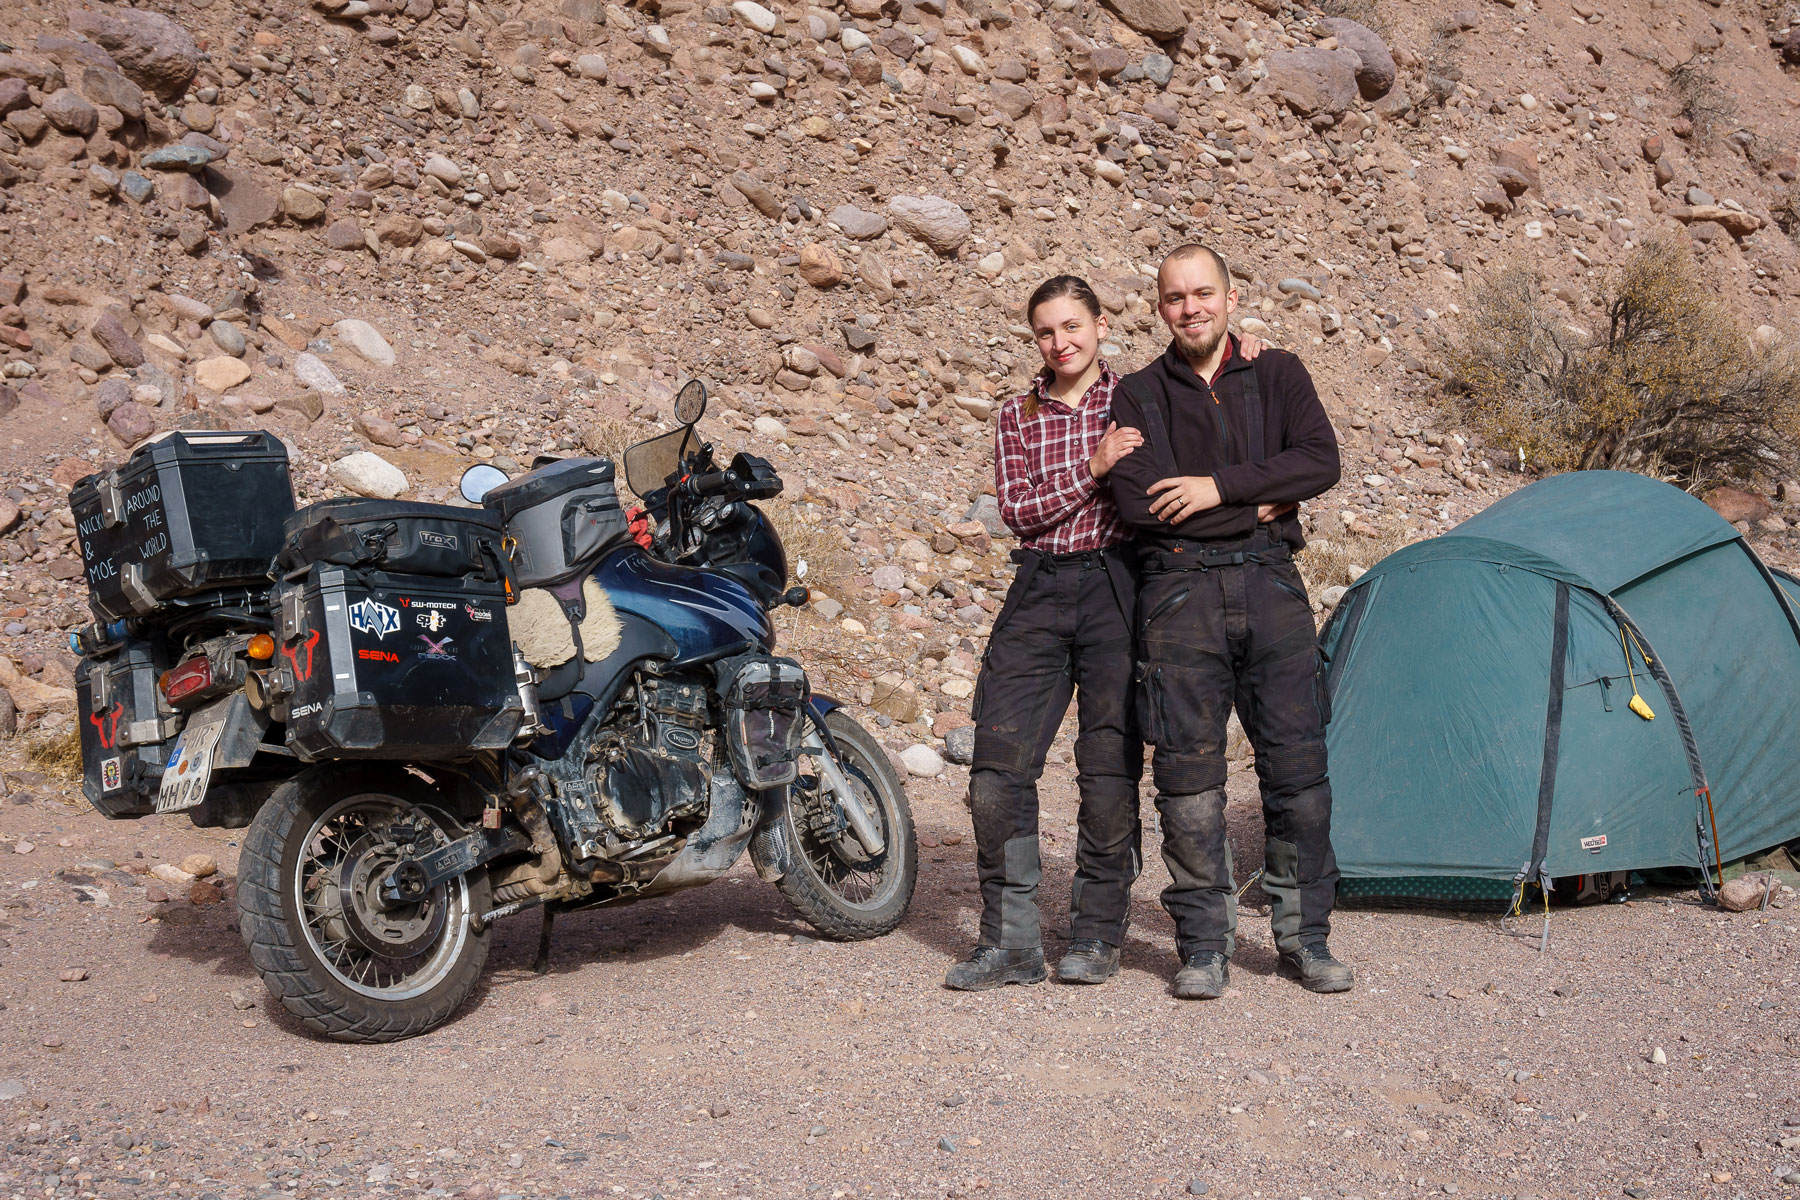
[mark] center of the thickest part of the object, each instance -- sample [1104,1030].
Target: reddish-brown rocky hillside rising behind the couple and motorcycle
[445,231]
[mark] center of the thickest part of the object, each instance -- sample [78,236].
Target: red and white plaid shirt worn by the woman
[1047,494]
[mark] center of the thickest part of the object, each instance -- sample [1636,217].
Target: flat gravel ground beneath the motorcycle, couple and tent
[705,1046]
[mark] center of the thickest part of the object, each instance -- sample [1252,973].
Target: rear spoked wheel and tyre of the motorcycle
[348,965]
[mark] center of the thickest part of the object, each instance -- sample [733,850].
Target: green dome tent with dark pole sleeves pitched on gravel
[1482,695]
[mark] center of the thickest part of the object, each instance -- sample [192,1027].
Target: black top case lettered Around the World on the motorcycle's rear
[188,514]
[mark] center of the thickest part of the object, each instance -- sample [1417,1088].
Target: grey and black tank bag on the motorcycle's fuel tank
[561,517]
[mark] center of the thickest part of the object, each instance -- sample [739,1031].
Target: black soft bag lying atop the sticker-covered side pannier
[393,535]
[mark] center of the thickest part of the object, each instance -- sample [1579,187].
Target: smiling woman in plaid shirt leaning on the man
[1066,629]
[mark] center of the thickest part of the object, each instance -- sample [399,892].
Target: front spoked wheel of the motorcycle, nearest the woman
[836,884]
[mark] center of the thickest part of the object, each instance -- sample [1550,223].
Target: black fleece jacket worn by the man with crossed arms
[1209,434]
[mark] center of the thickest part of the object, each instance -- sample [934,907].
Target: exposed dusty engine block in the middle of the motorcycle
[647,780]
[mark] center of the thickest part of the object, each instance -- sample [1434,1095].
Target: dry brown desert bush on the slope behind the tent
[1669,384]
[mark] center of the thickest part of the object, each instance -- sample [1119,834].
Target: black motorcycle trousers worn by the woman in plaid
[1065,629]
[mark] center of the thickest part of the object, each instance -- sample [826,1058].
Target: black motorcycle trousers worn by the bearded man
[1221,636]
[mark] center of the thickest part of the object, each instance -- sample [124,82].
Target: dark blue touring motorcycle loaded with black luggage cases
[436,719]
